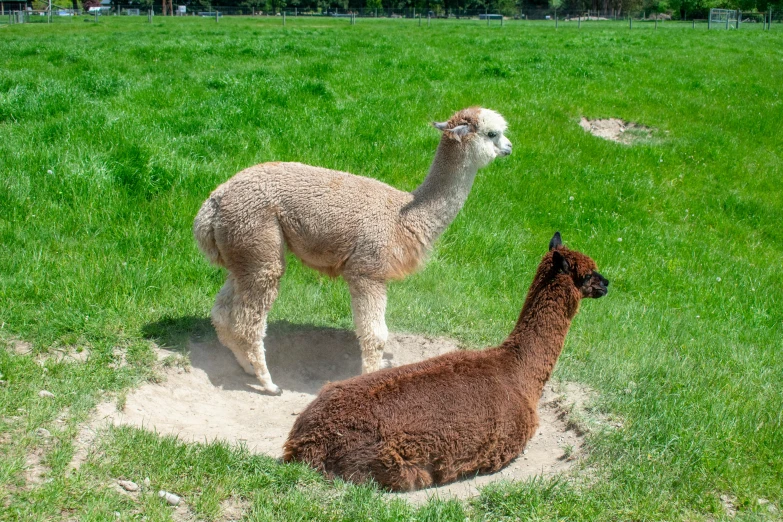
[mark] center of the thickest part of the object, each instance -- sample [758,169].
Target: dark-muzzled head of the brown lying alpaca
[578,268]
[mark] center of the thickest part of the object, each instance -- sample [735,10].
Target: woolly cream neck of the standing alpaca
[438,200]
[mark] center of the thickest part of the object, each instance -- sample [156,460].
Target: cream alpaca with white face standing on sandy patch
[337,223]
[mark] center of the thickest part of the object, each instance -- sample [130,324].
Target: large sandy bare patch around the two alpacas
[216,399]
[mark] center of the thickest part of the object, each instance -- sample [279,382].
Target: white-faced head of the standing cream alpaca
[479,133]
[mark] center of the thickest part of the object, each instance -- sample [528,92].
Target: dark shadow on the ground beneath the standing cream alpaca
[300,357]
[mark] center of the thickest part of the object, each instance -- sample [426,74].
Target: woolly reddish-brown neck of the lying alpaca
[540,333]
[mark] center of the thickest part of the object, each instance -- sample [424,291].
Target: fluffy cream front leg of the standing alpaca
[368,303]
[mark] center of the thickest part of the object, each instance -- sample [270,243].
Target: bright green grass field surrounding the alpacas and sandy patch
[113,133]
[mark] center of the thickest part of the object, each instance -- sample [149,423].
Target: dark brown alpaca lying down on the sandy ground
[456,415]
